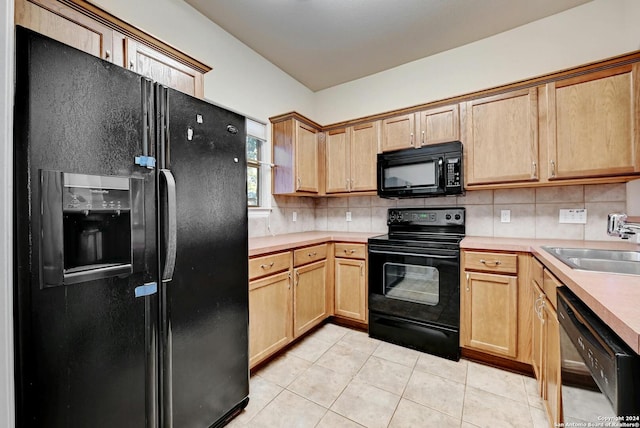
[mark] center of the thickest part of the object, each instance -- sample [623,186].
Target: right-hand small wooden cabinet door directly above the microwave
[439,125]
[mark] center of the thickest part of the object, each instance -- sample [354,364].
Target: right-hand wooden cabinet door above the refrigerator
[167,71]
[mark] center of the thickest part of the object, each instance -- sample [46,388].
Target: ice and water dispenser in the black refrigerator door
[92,227]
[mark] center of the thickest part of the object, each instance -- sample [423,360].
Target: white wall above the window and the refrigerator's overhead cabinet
[241,80]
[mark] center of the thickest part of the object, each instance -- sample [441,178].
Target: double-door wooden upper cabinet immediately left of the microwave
[350,155]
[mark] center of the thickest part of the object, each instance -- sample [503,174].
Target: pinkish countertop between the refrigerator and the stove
[270,244]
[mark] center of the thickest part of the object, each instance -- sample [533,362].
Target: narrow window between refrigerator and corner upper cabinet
[256,142]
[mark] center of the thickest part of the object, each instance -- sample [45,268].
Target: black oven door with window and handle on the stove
[415,283]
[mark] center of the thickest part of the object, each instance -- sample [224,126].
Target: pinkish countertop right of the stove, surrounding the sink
[615,298]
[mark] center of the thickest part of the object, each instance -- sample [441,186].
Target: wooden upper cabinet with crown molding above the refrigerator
[79,24]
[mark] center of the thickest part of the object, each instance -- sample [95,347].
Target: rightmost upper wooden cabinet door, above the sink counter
[591,124]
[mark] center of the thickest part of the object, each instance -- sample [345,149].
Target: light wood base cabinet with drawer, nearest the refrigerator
[270,305]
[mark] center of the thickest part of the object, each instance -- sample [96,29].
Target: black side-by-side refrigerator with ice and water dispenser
[130,248]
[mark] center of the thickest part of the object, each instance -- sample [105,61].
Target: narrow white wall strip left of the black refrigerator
[6,213]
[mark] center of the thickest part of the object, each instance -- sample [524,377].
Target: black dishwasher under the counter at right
[600,373]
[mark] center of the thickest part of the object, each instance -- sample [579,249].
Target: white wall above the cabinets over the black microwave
[587,33]
